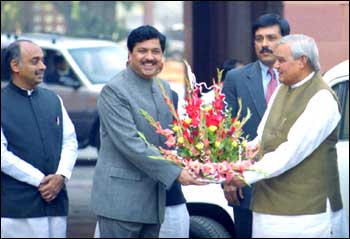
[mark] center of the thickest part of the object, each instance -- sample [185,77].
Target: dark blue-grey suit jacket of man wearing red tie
[246,83]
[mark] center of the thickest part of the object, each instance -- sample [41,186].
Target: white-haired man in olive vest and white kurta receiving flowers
[298,195]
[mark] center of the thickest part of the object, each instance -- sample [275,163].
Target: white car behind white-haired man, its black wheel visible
[211,217]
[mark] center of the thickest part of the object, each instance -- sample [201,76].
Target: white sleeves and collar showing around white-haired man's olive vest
[305,135]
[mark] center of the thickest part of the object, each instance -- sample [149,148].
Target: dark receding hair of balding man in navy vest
[12,52]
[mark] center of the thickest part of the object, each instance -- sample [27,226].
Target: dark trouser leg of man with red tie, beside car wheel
[243,222]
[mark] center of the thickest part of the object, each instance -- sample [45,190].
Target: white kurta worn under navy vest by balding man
[25,172]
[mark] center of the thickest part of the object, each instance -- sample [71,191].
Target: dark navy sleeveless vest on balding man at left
[32,126]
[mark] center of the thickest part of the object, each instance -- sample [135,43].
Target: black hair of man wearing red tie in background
[271,19]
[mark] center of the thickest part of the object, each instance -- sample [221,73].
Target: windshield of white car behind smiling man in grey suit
[100,64]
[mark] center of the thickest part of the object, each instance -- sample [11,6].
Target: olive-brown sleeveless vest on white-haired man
[305,188]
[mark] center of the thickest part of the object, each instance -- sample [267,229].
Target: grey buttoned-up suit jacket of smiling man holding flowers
[128,185]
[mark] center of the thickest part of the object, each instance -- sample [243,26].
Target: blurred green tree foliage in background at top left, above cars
[82,18]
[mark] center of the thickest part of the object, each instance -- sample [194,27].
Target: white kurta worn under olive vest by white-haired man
[314,125]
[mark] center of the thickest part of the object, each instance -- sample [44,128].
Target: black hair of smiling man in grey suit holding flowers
[144,33]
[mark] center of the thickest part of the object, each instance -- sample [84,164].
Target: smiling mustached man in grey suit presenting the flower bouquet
[128,193]
